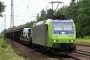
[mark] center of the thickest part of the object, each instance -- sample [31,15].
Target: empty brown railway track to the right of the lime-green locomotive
[82,52]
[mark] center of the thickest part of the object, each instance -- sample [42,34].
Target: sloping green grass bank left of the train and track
[7,53]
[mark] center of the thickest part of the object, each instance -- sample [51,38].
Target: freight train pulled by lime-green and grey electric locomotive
[57,36]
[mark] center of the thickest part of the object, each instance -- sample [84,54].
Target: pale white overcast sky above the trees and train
[26,10]
